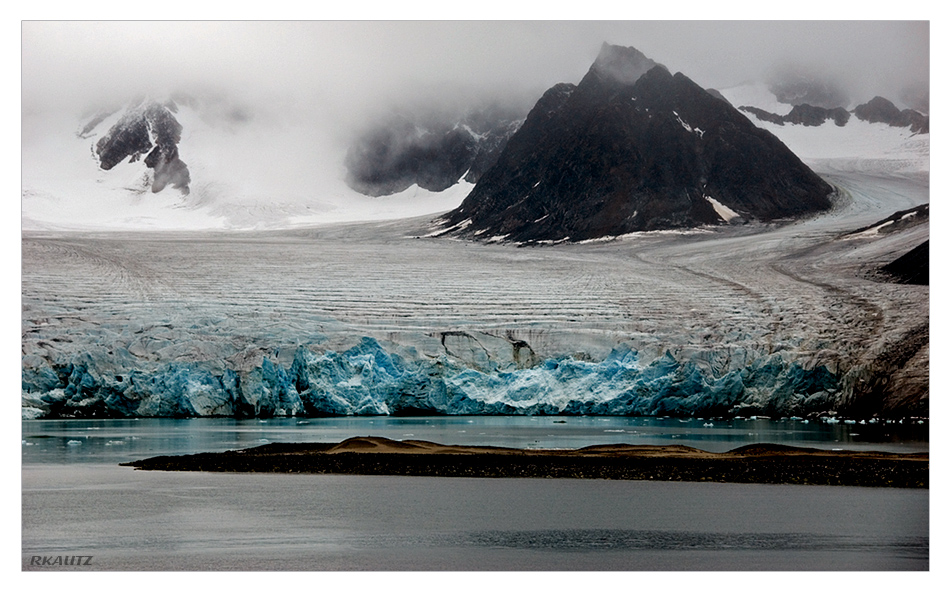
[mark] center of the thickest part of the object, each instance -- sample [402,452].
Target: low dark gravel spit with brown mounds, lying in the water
[758,463]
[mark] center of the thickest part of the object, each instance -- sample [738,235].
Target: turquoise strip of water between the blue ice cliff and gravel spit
[73,441]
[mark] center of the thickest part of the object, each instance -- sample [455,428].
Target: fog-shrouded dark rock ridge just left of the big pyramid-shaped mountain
[432,150]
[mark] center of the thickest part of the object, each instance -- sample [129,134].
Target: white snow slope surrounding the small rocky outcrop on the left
[248,170]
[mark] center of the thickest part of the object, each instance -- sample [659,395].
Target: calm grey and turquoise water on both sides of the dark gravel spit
[76,501]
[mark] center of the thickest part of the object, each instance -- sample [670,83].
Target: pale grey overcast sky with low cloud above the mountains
[344,67]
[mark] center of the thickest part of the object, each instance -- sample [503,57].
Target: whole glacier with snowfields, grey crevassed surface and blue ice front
[371,315]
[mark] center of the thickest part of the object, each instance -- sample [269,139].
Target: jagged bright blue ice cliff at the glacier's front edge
[369,380]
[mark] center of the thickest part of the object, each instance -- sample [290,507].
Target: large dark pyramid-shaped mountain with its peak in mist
[633,147]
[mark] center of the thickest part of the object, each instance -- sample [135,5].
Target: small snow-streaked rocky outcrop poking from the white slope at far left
[146,128]
